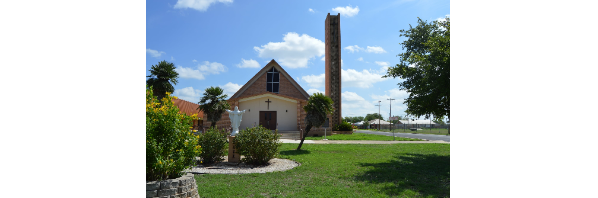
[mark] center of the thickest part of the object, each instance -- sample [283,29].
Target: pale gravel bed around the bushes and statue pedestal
[225,167]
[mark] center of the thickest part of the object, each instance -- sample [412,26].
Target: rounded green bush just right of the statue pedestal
[258,145]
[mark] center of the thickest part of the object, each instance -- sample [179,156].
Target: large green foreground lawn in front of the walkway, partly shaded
[344,170]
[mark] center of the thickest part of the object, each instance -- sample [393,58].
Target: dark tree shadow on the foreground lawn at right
[426,174]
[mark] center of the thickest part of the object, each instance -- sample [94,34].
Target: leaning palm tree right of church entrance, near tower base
[318,106]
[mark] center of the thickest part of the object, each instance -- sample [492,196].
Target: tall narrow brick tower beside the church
[333,65]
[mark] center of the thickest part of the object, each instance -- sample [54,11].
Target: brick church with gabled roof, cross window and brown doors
[271,99]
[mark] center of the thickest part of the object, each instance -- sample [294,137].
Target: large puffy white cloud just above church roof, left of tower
[294,52]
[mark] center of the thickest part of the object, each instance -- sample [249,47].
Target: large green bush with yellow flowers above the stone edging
[169,145]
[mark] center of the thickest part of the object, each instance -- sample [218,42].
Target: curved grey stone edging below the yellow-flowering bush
[184,187]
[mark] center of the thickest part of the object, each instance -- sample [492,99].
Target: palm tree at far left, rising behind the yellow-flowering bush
[161,76]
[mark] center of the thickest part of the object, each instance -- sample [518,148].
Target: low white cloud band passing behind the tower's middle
[349,78]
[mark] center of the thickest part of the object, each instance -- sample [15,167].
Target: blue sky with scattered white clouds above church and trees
[226,42]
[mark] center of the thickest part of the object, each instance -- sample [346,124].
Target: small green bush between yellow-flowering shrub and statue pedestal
[213,144]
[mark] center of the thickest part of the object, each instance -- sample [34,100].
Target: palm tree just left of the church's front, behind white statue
[213,104]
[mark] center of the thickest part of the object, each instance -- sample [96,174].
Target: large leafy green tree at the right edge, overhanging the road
[425,67]
